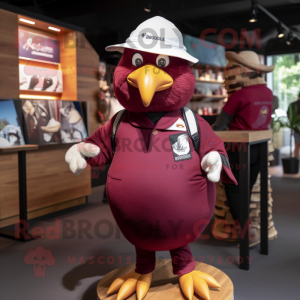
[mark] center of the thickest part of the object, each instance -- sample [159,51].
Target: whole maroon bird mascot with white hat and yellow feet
[164,159]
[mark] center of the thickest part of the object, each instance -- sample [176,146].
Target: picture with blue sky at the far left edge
[10,130]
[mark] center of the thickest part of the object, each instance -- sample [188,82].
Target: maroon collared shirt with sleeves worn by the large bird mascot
[158,193]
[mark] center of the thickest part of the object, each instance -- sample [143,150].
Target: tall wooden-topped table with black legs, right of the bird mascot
[245,139]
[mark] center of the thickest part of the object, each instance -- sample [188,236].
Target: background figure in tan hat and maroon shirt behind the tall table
[249,107]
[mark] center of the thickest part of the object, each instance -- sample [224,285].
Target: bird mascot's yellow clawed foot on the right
[199,282]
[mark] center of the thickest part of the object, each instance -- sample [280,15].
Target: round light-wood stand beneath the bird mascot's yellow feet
[165,284]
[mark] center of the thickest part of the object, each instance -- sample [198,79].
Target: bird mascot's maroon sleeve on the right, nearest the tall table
[209,142]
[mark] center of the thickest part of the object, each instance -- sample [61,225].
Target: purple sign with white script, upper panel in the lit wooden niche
[38,47]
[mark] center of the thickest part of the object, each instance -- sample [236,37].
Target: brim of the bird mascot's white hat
[168,51]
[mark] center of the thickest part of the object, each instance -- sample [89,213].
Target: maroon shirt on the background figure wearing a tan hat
[251,107]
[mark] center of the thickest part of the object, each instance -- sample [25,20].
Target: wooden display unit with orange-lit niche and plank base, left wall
[50,184]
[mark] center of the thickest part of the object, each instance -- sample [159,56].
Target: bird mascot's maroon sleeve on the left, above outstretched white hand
[101,138]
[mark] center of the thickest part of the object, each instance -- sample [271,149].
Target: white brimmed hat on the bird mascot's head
[156,35]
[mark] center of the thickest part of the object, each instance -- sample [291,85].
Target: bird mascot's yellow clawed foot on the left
[130,283]
